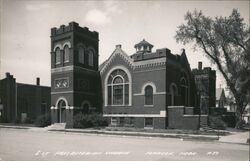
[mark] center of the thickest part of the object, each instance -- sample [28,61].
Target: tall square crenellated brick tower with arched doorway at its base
[75,79]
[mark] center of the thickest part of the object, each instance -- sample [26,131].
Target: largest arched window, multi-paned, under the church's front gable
[118,88]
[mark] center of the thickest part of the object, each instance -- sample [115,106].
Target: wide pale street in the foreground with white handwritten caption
[30,145]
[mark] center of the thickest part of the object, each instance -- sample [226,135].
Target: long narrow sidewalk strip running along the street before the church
[236,137]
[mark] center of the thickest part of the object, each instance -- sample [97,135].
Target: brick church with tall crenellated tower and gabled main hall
[134,90]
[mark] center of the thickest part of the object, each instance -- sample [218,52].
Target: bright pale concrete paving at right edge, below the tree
[236,137]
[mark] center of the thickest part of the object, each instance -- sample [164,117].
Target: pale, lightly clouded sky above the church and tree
[25,29]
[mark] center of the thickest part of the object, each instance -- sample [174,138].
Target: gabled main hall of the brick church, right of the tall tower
[138,89]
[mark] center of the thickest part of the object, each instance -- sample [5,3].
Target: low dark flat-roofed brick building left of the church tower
[22,101]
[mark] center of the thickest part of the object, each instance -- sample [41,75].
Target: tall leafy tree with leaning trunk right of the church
[226,42]
